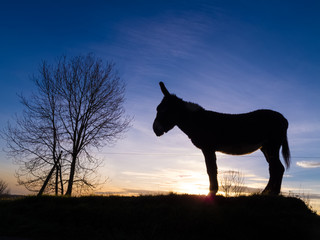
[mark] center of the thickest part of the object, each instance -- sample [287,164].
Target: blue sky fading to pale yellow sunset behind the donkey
[228,56]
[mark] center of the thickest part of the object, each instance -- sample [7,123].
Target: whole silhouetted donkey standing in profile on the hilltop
[235,134]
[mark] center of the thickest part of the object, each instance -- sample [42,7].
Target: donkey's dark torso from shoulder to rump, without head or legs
[238,133]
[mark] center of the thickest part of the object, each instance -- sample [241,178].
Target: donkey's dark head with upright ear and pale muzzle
[167,112]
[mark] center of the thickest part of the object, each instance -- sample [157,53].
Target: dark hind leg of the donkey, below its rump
[276,170]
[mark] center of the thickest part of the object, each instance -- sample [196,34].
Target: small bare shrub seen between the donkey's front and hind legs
[232,182]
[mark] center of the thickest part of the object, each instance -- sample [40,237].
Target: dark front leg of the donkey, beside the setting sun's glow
[211,163]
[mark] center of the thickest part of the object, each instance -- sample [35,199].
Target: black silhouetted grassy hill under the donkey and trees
[158,217]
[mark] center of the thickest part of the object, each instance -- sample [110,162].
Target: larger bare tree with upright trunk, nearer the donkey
[92,110]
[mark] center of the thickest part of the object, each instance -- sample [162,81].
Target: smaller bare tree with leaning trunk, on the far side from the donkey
[34,141]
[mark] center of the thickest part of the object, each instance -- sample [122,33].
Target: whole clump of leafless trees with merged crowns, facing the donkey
[78,106]
